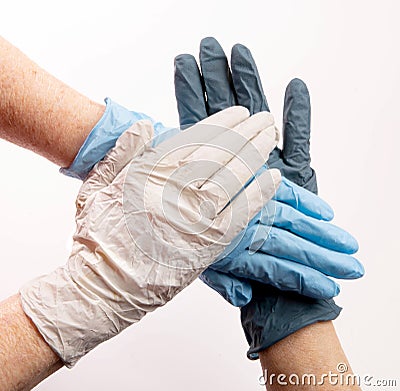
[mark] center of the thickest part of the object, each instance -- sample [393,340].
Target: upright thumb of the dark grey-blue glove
[296,126]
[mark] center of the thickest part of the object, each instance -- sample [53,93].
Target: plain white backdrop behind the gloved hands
[346,51]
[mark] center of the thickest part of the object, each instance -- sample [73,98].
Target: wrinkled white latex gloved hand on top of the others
[149,221]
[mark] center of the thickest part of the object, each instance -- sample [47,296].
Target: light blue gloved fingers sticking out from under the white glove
[289,245]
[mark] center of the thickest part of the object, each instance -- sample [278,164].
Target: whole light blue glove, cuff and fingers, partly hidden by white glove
[296,258]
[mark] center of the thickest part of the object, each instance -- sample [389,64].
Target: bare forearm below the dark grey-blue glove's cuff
[313,350]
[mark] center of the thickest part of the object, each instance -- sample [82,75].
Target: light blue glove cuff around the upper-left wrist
[115,120]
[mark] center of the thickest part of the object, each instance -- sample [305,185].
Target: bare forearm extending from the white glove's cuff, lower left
[25,358]
